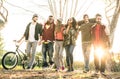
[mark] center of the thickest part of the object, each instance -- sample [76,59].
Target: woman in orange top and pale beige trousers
[58,57]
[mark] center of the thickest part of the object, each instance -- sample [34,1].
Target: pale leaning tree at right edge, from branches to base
[114,8]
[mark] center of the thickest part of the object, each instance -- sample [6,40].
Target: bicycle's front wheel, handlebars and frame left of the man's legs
[10,59]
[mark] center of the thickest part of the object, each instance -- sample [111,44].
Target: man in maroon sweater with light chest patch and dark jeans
[47,41]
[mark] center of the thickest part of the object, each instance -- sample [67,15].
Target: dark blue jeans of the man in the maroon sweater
[47,48]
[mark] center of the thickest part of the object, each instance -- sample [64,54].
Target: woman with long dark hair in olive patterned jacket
[70,36]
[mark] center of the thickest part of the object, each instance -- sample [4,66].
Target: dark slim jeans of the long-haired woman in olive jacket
[69,54]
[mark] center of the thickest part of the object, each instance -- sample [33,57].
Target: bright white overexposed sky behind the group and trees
[19,18]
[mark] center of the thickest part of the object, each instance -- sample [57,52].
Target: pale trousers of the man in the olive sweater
[86,53]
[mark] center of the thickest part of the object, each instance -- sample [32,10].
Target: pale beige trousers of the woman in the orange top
[58,57]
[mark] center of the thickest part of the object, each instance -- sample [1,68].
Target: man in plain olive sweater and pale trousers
[85,29]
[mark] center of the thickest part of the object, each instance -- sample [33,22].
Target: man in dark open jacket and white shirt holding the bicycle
[32,34]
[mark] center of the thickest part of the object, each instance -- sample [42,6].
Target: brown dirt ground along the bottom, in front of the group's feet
[52,74]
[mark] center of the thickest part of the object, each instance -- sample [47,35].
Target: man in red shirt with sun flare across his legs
[100,42]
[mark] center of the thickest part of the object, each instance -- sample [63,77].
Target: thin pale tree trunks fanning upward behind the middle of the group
[68,8]
